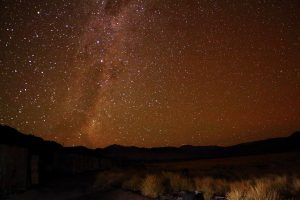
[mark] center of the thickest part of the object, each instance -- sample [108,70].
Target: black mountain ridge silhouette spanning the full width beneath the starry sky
[11,136]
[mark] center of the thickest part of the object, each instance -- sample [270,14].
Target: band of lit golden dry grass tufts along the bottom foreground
[268,187]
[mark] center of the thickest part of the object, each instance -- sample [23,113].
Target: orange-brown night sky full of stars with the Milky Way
[150,72]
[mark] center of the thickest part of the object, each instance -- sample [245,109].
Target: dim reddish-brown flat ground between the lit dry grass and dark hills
[282,163]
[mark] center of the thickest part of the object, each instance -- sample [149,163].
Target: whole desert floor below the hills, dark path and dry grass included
[270,177]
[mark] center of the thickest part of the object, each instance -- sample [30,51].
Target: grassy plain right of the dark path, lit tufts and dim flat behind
[268,177]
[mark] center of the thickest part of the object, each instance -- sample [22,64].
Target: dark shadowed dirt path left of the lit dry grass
[78,187]
